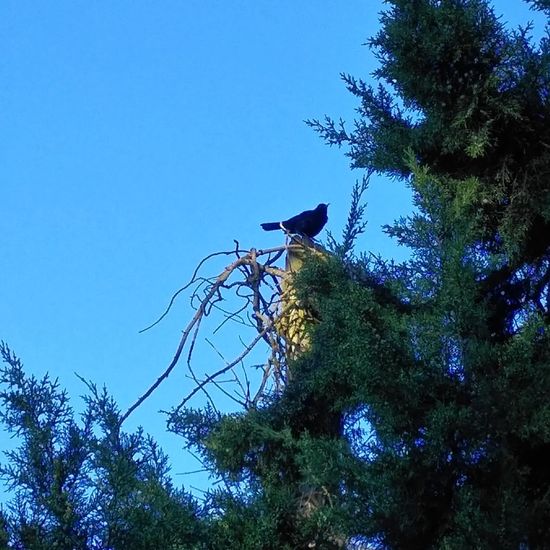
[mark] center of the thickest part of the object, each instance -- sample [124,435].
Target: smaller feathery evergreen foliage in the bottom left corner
[84,484]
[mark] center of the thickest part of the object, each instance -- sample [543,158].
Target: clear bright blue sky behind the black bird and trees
[138,137]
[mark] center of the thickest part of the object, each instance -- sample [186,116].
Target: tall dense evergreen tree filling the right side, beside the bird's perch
[420,418]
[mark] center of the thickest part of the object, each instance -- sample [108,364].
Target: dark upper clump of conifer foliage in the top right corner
[470,101]
